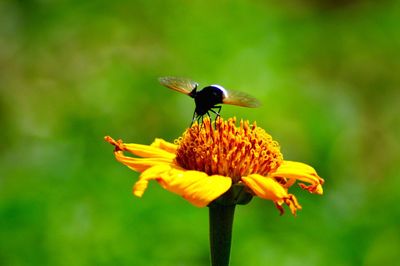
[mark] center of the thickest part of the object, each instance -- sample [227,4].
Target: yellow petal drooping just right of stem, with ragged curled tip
[268,188]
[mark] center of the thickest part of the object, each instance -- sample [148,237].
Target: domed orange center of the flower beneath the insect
[222,148]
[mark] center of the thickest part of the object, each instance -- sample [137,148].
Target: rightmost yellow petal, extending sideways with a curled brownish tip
[302,172]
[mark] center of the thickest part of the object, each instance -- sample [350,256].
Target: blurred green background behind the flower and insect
[71,72]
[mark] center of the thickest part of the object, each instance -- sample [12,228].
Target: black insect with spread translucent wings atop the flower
[209,97]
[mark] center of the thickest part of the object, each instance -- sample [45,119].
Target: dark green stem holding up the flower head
[221,220]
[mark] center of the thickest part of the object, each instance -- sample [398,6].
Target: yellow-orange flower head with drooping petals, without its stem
[210,159]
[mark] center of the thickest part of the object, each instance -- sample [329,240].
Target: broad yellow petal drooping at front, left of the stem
[196,187]
